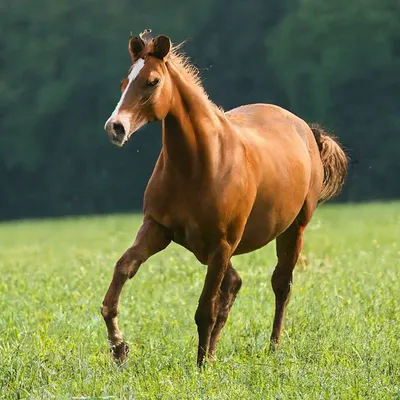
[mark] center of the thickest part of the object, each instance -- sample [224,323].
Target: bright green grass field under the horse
[341,339]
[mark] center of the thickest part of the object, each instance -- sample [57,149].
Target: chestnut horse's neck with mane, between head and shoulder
[190,130]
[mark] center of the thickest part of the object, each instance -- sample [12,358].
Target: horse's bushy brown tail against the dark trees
[334,161]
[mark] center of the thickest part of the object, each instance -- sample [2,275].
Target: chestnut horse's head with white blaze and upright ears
[146,91]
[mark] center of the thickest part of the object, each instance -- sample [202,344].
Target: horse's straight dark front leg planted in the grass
[207,310]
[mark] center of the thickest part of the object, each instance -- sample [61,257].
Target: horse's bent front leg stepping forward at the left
[151,238]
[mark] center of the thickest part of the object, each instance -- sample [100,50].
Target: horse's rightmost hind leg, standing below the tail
[288,248]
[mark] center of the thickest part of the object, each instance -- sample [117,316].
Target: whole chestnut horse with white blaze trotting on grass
[225,183]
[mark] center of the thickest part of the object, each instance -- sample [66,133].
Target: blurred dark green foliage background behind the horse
[61,62]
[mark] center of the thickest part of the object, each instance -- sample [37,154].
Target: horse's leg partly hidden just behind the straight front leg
[229,288]
